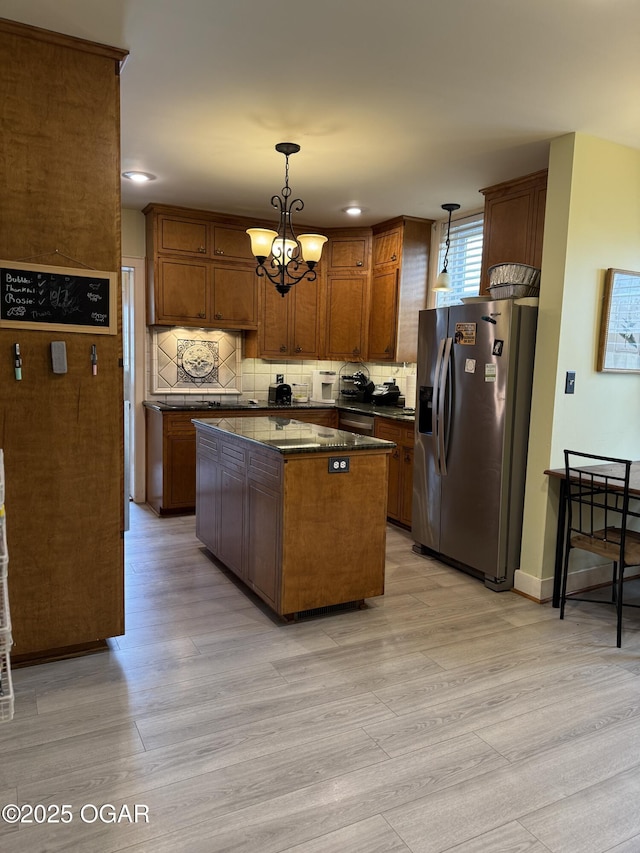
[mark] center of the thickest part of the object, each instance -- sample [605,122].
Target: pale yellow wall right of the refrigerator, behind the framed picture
[592,223]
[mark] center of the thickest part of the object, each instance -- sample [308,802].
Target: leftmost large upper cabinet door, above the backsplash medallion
[183,292]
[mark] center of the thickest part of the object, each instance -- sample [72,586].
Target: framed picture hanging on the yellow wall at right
[619,349]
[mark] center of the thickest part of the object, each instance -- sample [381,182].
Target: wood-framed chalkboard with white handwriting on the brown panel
[57,298]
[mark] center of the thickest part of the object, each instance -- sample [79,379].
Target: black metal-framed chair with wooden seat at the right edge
[597,512]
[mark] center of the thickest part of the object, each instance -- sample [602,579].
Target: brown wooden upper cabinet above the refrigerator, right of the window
[513,223]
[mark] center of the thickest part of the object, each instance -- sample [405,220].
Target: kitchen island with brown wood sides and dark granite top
[296,510]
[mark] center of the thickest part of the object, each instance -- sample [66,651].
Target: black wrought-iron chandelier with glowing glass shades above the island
[292,258]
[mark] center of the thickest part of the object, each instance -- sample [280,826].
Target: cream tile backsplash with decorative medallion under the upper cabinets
[210,364]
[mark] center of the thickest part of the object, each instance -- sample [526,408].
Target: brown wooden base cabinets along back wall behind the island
[171,451]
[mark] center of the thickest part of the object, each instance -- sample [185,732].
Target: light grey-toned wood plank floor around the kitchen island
[445,717]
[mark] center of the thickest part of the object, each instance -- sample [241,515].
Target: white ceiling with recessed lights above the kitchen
[398,106]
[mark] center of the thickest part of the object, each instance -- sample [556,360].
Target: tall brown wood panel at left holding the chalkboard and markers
[62,434]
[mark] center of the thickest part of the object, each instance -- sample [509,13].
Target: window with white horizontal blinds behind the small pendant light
[465,258]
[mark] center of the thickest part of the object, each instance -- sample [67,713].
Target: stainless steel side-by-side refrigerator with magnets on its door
[475,372]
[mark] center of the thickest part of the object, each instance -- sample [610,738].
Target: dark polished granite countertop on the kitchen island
[287,436]
